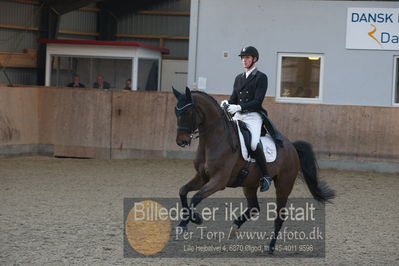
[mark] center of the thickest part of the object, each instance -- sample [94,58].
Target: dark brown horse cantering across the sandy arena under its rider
[218,162]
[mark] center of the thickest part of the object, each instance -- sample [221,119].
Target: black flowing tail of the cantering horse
[319,189]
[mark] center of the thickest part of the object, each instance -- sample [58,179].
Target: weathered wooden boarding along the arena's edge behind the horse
[91,123]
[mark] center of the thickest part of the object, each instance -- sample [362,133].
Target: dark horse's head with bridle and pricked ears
[186,117]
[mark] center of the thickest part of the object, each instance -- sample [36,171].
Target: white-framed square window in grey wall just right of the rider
[299,78]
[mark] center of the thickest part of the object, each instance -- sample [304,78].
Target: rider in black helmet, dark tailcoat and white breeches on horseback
[245,103]
